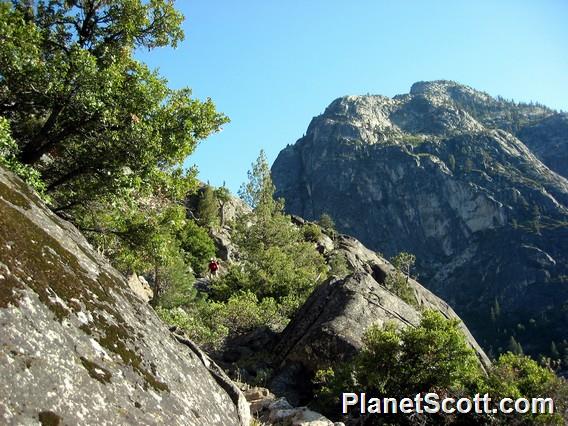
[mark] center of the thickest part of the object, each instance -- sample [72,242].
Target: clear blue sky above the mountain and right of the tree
[273,65]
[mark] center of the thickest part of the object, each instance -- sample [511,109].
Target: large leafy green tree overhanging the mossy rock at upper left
[73,91]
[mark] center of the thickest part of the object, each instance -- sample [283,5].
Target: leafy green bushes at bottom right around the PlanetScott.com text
[435,357]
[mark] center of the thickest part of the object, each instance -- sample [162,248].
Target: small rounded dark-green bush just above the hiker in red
[197,245]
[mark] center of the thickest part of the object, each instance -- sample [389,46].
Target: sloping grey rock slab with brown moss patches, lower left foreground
[78,347]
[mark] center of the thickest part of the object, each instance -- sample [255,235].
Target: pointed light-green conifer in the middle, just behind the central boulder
[275,261]
